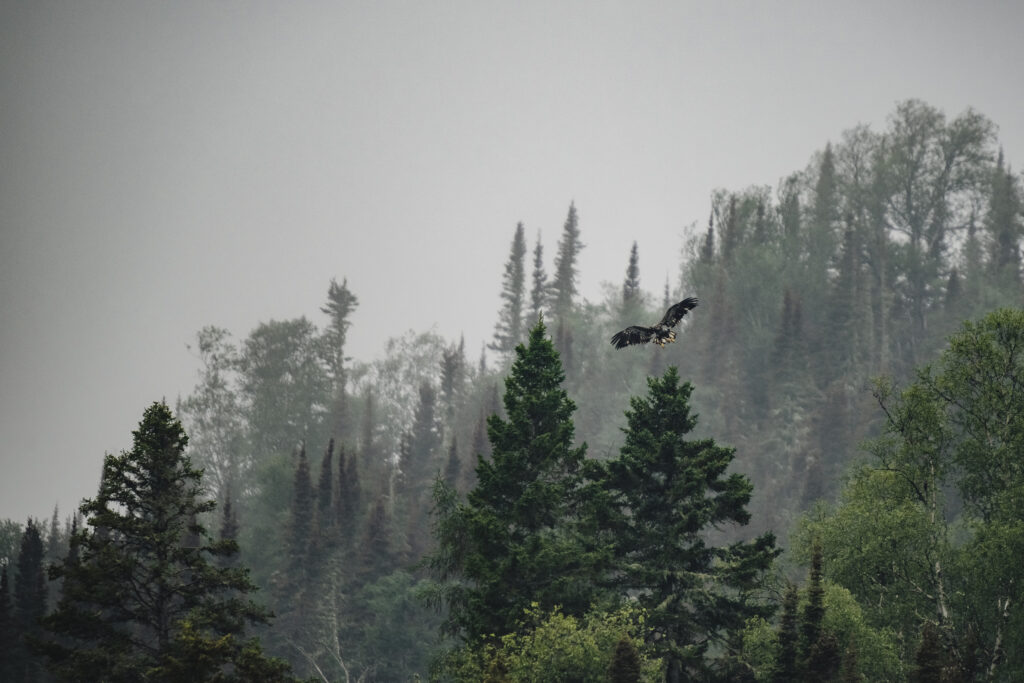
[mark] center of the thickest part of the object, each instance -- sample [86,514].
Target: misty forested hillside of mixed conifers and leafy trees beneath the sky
[821,481]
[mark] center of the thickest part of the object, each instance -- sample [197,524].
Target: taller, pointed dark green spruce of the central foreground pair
[510,544]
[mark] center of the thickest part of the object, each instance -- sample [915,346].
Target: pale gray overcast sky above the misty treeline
[170,165]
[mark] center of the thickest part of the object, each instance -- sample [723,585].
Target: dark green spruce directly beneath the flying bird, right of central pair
[656,503]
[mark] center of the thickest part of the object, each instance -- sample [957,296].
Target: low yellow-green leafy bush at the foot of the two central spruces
[559,648]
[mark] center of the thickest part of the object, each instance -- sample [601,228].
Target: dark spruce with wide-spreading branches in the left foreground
[141,605]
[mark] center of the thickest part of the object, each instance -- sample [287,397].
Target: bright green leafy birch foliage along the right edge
[927,532]
